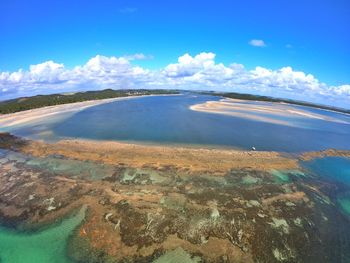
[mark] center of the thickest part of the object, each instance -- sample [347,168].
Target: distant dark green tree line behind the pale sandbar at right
[243,96]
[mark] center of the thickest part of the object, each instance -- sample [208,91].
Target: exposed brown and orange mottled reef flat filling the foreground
[173,204]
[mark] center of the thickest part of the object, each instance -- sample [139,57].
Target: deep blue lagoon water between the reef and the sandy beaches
[168,120]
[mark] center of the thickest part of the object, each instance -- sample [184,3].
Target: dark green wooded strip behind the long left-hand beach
[27,103]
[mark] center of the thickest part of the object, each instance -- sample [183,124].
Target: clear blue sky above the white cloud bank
[308,36]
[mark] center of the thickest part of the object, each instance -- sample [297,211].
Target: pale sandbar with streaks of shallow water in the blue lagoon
[242,109]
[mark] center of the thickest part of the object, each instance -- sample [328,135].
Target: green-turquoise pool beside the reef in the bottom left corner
[48,245]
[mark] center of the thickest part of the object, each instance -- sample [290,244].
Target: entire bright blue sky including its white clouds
[294,49]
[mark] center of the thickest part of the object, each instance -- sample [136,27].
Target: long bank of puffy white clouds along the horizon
[199,72]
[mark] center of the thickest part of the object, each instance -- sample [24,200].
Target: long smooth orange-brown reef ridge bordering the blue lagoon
[196,160]
